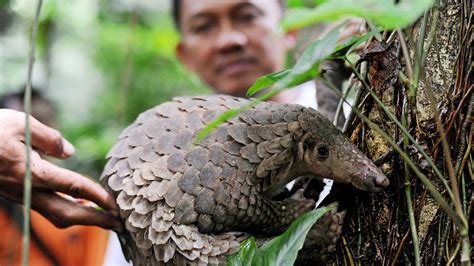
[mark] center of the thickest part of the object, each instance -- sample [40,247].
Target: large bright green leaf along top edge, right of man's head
[385,13]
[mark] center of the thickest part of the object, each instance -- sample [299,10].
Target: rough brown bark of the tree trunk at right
[377,228]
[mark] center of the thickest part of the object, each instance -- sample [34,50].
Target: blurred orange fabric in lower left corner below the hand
[76,245]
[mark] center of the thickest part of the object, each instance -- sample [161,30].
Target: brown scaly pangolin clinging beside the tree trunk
[187,204]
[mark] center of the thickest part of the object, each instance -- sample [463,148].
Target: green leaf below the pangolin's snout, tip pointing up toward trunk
[283,249]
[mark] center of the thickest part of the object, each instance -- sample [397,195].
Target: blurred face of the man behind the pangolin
[230,43]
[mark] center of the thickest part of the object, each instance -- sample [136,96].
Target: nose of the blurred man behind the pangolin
[230,39]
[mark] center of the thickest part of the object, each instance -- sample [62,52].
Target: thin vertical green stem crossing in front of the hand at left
[27,108]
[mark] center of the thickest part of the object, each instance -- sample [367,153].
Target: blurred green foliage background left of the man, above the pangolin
[100,62]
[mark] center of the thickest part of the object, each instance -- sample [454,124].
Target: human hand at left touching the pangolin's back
[47,178]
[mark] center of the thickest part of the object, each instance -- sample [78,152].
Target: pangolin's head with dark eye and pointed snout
[328,153]
